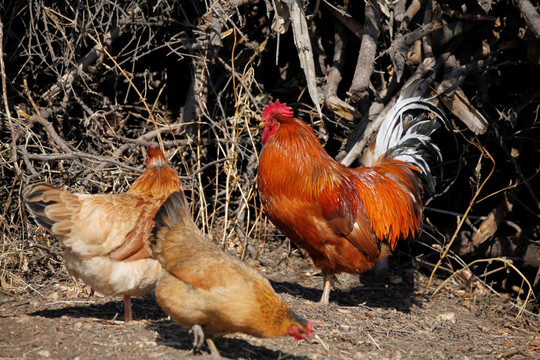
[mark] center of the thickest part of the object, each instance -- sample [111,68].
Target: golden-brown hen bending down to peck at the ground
[214,293]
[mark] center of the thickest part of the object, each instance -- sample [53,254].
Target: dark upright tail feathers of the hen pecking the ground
[174,210]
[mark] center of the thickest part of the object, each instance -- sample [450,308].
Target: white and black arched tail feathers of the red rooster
[405,134]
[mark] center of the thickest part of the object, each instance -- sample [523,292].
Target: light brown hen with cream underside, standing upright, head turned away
[105,236]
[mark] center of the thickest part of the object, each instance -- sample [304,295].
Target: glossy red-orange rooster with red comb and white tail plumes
[346,219]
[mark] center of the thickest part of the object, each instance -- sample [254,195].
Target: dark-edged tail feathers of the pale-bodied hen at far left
[37,197]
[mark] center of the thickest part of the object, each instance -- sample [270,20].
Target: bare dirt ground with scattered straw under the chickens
[58,319]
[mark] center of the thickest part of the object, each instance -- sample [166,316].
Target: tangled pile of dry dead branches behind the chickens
[87,86]
